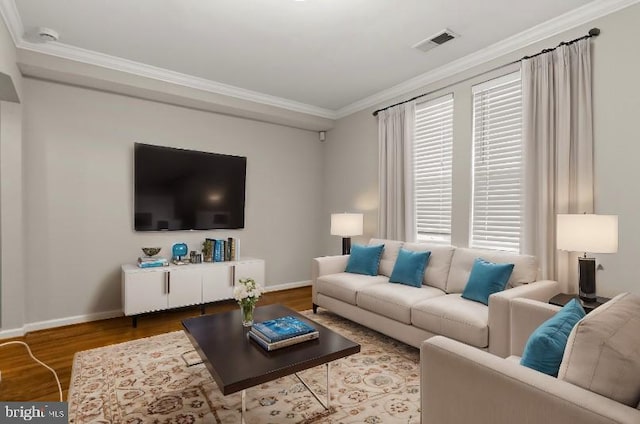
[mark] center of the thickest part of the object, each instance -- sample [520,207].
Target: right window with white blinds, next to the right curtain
[497,164]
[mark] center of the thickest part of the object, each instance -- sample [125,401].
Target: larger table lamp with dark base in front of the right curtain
[587,233]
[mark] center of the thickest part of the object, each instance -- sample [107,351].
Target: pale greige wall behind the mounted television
[79,192]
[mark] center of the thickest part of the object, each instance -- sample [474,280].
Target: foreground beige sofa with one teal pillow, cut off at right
[598,382]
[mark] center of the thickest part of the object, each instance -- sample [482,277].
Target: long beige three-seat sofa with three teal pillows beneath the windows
[412,314]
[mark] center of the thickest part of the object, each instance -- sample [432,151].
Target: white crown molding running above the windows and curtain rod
[562,23]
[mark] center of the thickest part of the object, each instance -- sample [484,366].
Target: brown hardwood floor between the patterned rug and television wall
[25,380]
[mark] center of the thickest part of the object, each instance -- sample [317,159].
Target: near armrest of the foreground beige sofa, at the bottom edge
[463,384]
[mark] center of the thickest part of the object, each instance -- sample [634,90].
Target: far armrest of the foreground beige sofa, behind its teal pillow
[526,316]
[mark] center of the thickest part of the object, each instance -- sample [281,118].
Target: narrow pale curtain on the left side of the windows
[395,140]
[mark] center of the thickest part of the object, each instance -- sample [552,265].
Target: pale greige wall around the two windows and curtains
[351,169]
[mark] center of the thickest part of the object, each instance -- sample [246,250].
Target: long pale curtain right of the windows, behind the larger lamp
[558,151]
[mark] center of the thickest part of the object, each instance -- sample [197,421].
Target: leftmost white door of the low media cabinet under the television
[145,292]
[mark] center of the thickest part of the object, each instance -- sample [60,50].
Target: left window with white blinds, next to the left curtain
[432,154]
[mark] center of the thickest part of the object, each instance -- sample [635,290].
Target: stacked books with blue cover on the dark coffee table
[281,332]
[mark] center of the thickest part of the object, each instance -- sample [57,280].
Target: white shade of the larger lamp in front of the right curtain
[587,233]
